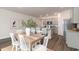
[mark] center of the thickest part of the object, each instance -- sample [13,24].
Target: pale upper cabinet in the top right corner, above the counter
[75,15]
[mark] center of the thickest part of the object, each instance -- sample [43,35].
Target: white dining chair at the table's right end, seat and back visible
[42,47]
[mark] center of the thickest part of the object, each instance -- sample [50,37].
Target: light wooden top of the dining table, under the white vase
[32,38]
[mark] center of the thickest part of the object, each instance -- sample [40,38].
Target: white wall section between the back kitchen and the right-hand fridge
[65,15]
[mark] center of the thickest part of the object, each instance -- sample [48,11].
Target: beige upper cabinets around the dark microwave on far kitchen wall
[49,21]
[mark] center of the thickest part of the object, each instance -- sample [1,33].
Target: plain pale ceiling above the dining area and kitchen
[36,11]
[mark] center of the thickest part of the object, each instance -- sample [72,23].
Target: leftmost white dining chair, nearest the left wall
[15,43]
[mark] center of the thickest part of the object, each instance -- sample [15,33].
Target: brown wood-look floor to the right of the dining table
[58,43]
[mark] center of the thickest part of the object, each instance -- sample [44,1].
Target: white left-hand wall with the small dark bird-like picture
[6,19]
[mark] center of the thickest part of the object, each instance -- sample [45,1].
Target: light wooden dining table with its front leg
[32,39]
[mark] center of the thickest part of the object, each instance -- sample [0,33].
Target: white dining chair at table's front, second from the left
[23,45]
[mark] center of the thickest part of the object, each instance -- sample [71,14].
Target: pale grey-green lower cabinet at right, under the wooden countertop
[72,39]
